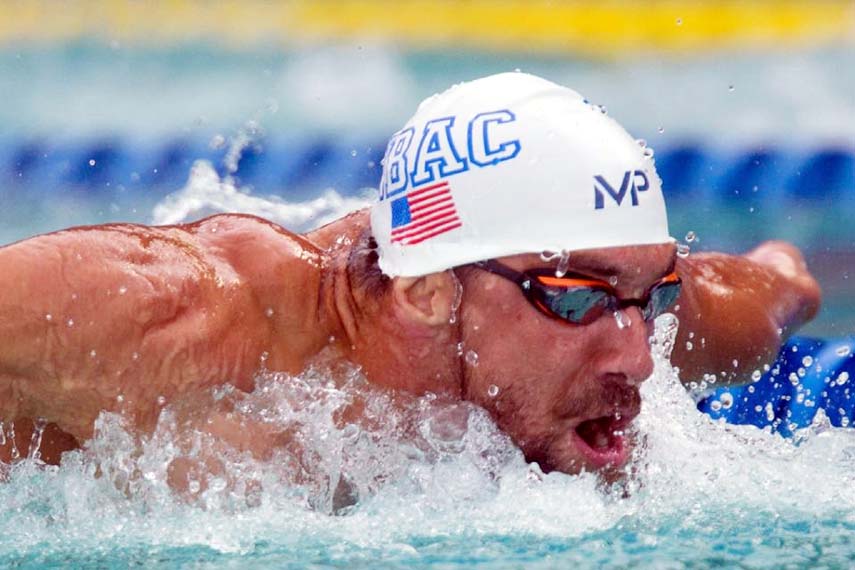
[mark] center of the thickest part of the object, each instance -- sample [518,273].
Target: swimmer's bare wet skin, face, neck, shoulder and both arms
[163,314]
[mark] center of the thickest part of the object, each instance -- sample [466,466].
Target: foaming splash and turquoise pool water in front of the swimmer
[697,492]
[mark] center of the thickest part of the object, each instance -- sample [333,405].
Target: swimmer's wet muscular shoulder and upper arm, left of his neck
[116,317]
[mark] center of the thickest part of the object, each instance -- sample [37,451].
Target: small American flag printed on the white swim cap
[423,213]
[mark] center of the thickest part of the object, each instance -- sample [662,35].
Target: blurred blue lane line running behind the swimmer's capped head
[690,171]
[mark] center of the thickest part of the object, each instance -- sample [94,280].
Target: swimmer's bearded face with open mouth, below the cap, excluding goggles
[563,392]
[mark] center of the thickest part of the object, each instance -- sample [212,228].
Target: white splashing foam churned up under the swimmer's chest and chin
[421,468]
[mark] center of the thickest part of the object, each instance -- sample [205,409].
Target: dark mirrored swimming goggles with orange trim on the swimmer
[581,300]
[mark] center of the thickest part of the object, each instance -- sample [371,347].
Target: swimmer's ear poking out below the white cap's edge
[425,300]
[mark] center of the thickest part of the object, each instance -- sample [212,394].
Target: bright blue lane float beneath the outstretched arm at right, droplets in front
[809,375]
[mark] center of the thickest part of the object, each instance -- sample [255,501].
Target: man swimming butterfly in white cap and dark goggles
[517,225]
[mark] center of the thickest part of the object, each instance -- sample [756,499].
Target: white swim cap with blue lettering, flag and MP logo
[511,164]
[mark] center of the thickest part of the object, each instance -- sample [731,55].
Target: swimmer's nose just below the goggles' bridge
[628,354]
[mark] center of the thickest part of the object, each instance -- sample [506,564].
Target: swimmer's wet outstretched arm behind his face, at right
[736,311]
